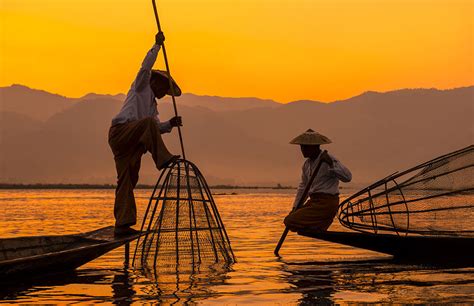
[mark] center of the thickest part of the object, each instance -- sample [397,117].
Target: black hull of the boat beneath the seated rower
[422,249]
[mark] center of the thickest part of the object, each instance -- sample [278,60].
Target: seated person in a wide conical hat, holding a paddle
[319,211]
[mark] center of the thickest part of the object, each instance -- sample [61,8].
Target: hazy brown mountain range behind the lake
[47,138]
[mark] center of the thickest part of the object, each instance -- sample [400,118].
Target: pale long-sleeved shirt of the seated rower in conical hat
[327,179]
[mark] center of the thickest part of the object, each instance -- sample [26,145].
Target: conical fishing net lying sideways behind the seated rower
[435,198]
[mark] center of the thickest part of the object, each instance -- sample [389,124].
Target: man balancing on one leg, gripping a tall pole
[137,129]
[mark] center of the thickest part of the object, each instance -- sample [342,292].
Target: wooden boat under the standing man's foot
[23,257]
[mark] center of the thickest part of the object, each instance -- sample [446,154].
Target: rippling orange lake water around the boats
[309,271]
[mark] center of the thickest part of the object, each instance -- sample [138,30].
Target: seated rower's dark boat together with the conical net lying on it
[423,214]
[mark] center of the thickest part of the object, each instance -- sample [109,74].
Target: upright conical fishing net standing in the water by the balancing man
[184,231]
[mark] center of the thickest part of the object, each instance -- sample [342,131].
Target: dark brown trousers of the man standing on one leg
[129,141]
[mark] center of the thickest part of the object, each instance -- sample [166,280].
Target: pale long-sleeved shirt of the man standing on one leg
[140,102]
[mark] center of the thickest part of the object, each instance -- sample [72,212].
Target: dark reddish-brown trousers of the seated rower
[317,213]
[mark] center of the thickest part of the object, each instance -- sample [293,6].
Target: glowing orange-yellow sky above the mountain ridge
[279,49]
